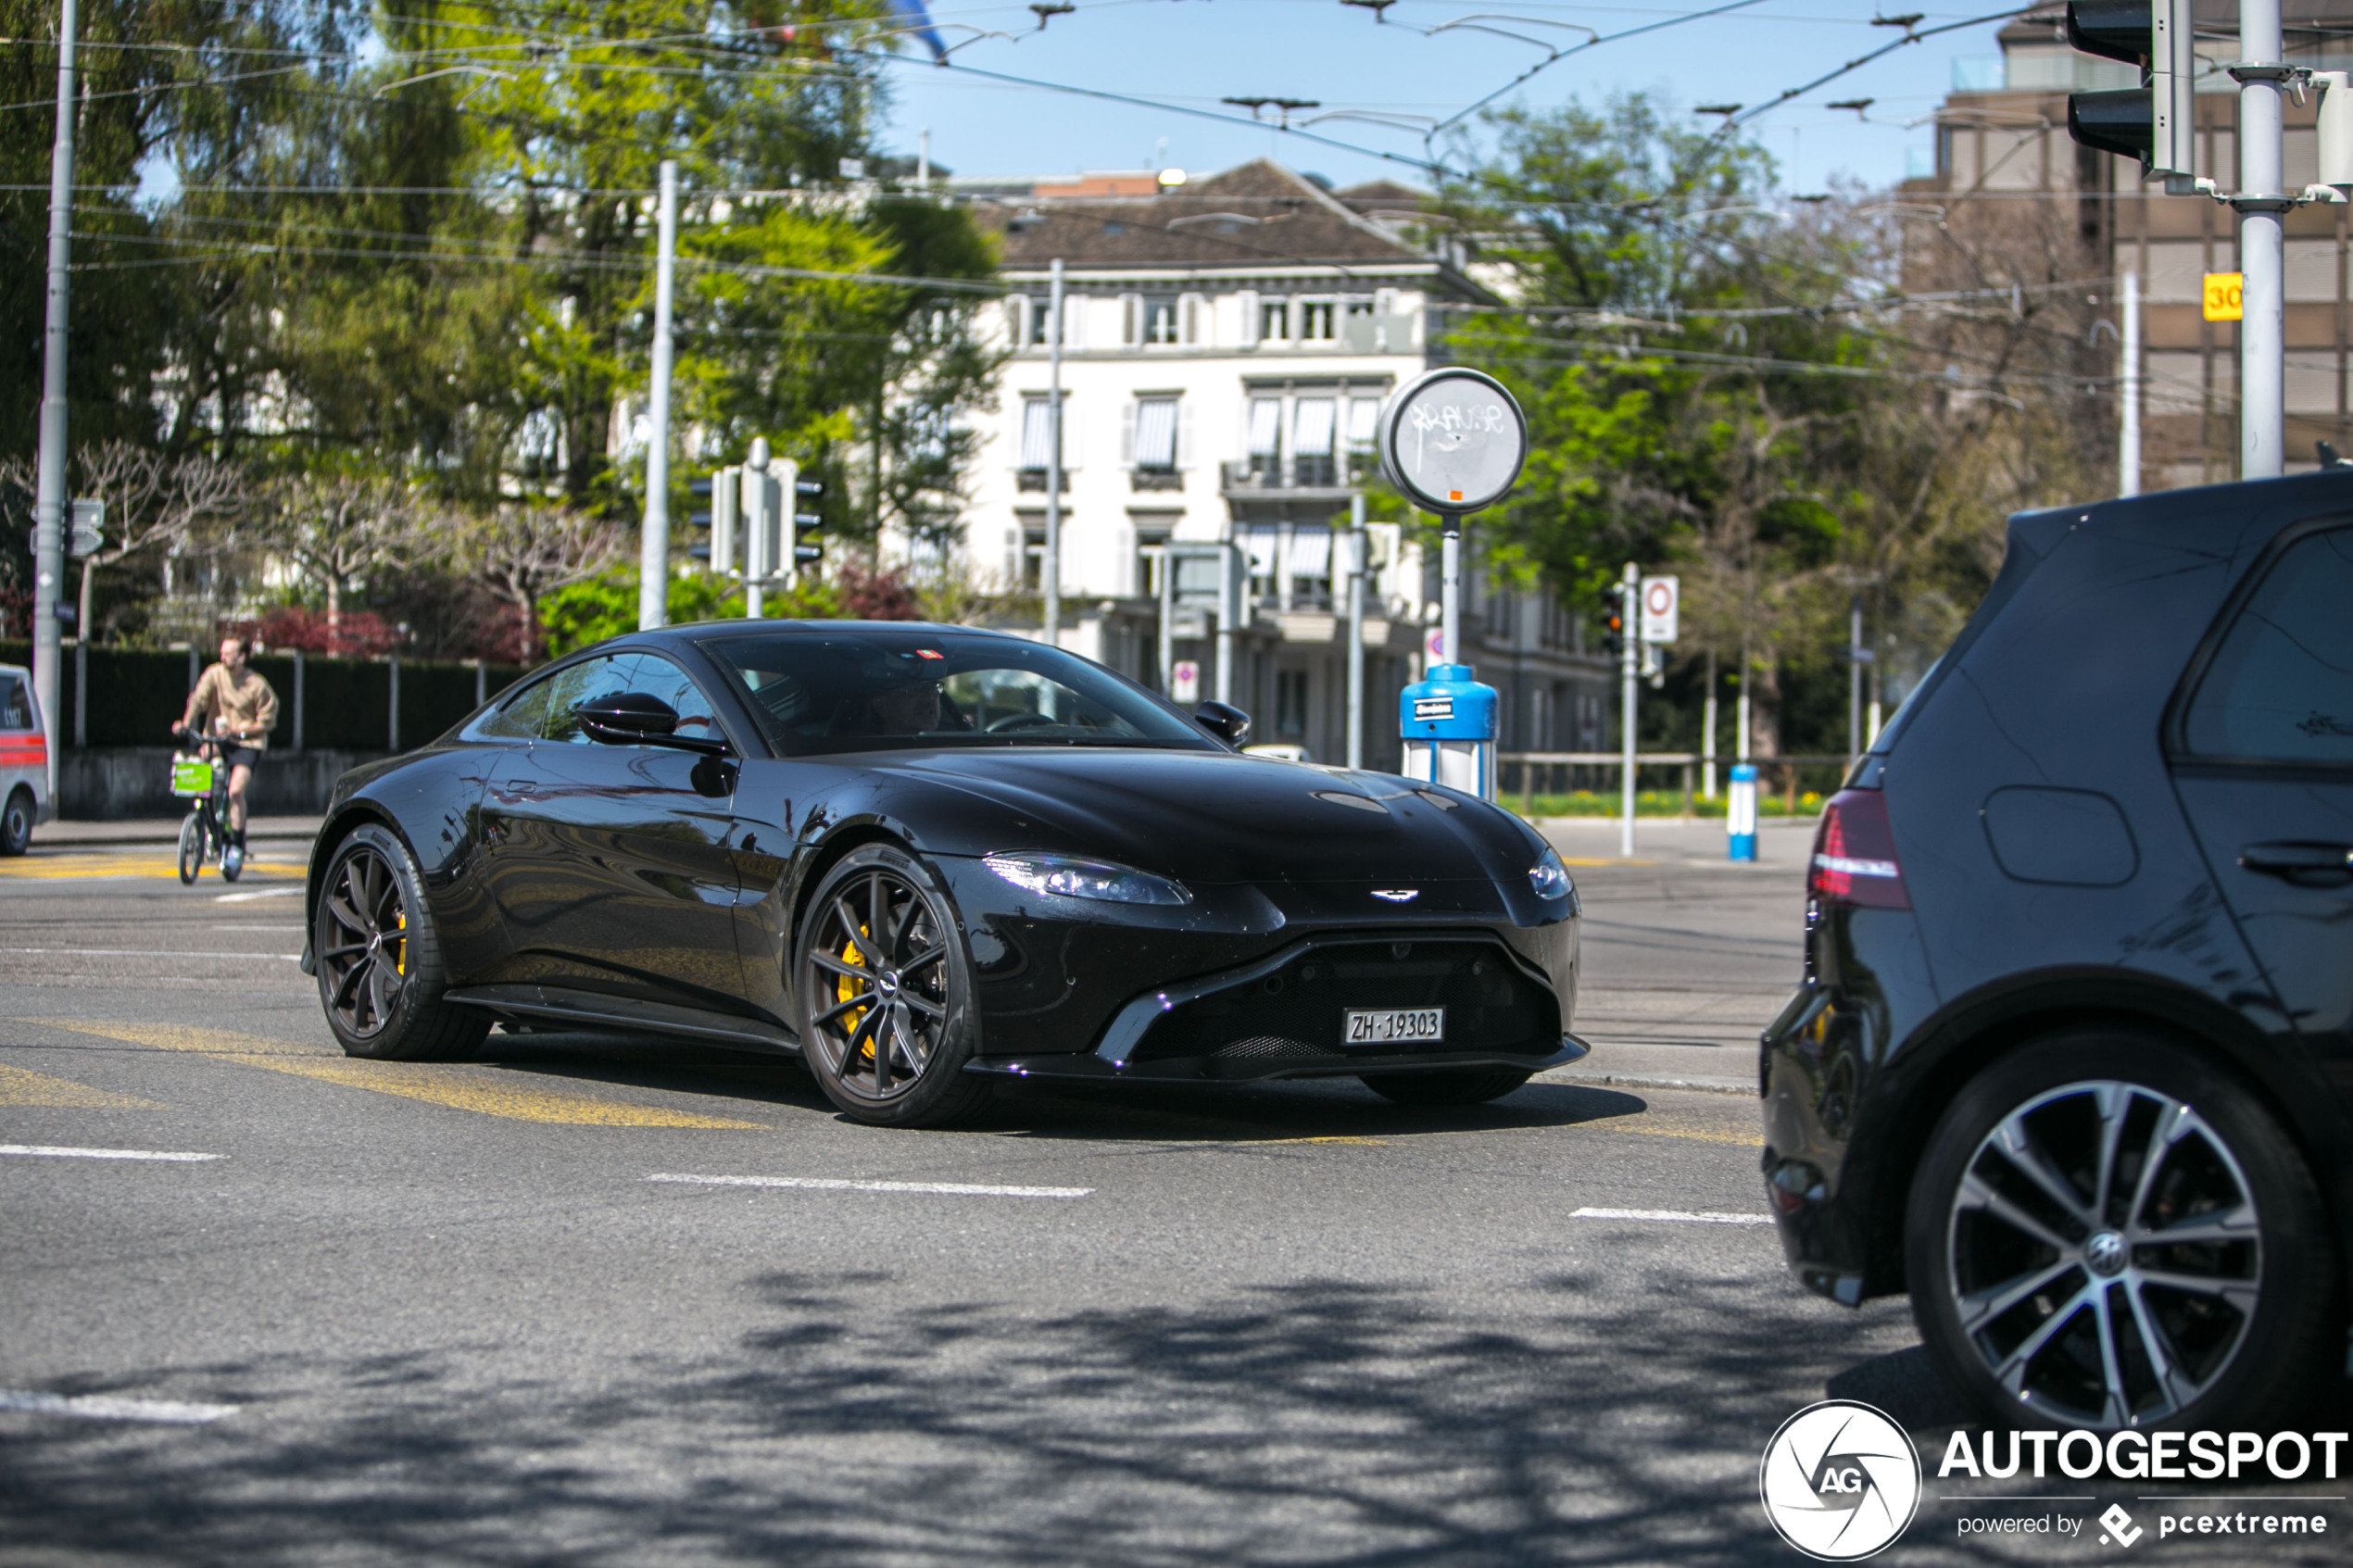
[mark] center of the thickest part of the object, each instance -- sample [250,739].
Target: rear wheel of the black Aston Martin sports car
[380,967]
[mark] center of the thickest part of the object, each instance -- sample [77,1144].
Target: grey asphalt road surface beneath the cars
[604,1301]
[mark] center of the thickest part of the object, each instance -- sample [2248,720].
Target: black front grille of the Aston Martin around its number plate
[1295,1017]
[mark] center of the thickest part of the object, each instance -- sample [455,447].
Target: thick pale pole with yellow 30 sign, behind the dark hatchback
[2262,333]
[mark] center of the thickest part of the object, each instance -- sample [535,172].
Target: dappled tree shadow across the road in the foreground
[1319,1423]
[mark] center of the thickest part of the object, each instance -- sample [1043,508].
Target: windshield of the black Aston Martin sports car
[869,690]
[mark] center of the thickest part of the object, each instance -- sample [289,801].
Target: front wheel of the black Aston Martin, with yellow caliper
[884,991]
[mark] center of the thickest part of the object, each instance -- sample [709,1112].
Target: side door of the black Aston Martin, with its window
[613,864]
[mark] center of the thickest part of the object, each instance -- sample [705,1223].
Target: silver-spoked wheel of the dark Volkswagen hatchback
[2112,1233]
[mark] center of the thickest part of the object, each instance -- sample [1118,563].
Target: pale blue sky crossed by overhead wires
[1194,53]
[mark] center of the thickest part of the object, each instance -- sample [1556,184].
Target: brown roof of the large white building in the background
[1253,215]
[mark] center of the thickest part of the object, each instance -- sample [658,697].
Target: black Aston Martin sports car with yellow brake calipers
[928,859]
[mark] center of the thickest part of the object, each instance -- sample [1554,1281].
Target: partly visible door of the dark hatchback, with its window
[2262,756]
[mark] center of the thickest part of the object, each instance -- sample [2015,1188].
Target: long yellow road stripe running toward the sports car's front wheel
[439,1085]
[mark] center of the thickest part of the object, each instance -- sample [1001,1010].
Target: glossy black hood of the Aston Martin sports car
[1220,817]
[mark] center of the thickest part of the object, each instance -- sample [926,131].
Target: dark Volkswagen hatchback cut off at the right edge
[2074,1050]
